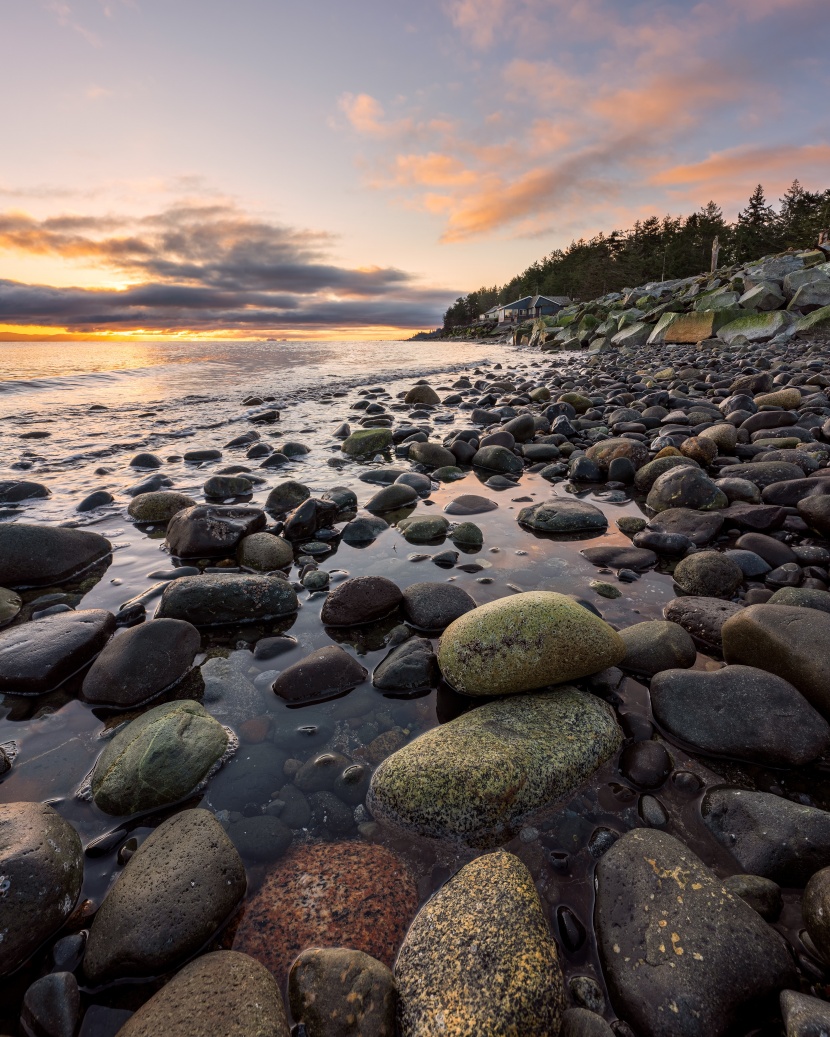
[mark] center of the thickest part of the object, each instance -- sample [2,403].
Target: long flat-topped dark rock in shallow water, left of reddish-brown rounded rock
[217,599]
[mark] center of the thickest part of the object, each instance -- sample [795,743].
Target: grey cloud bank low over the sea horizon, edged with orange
[208,268]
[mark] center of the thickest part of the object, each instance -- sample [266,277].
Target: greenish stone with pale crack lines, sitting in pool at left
[158,759]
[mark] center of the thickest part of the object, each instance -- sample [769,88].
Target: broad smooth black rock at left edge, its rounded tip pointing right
[38,556]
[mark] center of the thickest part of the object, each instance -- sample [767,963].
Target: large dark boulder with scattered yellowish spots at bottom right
[690,964]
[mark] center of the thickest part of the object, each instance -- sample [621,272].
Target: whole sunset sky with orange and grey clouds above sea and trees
[346,169]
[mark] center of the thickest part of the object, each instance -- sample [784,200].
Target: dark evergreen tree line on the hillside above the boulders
[656,249]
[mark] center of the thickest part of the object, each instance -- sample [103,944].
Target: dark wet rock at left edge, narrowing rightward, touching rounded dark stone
[41,655]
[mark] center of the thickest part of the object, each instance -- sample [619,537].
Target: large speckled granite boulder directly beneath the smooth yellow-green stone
[474,778]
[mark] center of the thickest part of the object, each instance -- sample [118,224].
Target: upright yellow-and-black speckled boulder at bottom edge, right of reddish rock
[480,959]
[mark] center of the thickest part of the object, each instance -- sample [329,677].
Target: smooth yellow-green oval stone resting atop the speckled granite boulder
[524,642]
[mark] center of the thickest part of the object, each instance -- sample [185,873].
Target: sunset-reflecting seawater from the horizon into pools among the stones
[60,738]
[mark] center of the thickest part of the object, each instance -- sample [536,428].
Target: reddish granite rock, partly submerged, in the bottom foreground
[342,894]
